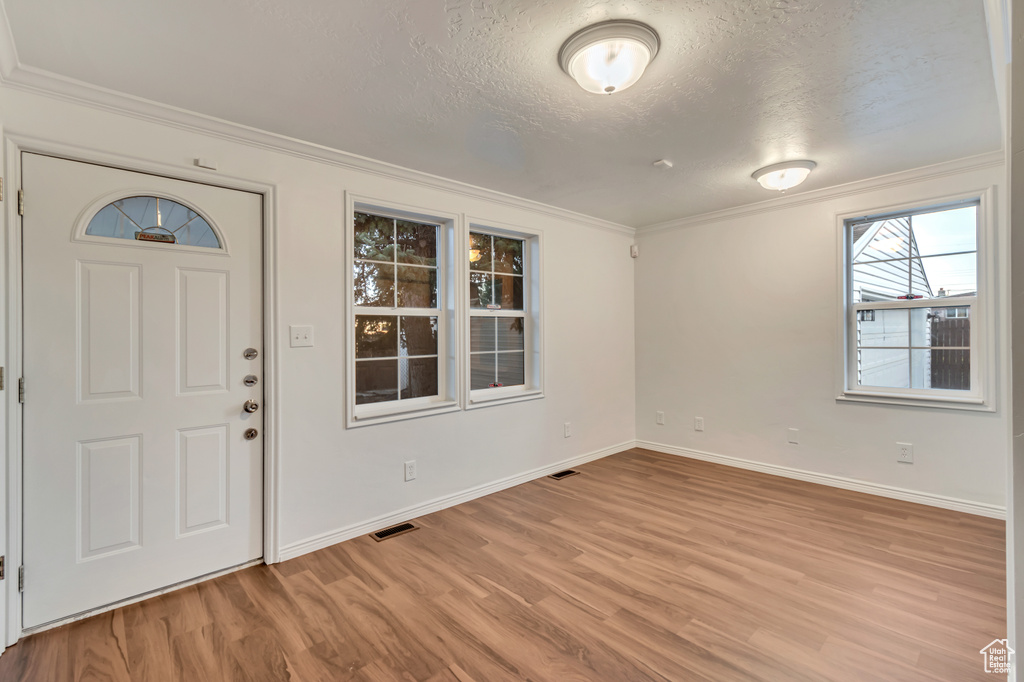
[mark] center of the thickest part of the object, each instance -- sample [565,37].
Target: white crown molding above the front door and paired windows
[37,81]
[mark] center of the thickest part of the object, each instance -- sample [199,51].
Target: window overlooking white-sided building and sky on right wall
[913,307]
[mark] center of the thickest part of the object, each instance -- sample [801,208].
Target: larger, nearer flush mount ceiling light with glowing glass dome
[610,57]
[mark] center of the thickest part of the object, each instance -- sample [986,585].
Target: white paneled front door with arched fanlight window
[142,467]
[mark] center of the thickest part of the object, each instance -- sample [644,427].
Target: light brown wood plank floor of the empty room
[645,568]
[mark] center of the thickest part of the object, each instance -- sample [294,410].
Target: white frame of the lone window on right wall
[982,396]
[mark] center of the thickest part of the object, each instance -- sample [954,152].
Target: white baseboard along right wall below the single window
[967,506]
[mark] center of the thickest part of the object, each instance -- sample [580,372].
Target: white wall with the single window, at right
[737,322]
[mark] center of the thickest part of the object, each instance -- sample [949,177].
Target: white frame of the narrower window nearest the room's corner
[533,272]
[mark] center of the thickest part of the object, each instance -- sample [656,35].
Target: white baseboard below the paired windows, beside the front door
[365,528]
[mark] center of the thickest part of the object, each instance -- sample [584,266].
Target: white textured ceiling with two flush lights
[472,90]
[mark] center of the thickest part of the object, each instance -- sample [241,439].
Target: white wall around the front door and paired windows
[333,479]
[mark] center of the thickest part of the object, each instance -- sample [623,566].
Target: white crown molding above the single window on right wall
[989,160]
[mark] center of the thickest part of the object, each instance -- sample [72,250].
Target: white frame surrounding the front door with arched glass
[12,442]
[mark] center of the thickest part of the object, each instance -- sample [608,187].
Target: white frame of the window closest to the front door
[448,399]
